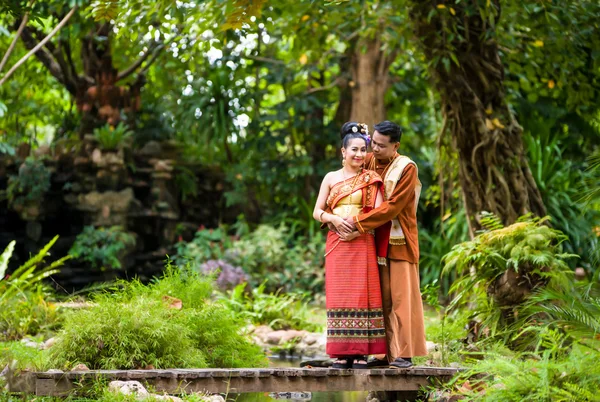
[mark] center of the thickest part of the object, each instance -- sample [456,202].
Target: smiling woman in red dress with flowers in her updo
[353,296]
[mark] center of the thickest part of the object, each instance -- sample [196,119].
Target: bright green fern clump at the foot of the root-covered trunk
[501,266]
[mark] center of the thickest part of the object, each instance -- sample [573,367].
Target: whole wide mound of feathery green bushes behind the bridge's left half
[138,325]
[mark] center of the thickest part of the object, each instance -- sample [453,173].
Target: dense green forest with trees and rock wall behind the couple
[215,121]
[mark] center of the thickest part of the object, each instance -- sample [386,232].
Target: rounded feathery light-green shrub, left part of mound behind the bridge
[119,333]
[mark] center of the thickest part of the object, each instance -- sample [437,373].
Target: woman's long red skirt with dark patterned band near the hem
[353,298]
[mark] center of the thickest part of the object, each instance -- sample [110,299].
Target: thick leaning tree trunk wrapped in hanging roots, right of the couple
[493,171]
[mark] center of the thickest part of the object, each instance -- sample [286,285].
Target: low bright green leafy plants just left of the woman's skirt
[277,310]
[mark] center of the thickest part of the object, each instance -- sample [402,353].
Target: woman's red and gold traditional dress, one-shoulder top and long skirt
[353,295]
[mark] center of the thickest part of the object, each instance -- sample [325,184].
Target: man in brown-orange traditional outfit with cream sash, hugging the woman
[399,272]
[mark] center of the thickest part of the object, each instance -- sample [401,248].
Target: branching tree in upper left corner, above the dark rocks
[95,56]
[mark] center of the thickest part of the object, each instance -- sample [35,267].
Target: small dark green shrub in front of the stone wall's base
[102,247]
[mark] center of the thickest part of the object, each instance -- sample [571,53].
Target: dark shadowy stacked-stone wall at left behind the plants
[134,189]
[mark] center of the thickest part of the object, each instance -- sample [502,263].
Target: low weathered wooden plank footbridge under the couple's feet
[178,381]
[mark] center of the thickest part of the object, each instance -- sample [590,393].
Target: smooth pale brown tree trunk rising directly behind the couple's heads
[370,78]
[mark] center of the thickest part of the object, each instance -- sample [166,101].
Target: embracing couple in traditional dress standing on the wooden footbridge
[372,290]
